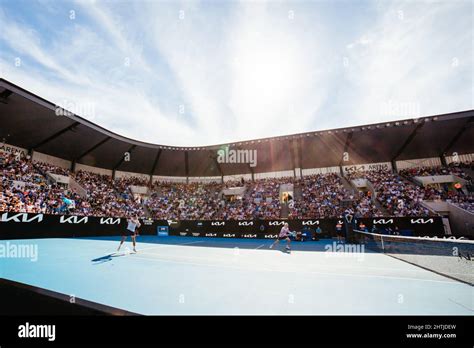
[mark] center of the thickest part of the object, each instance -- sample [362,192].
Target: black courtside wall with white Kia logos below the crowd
[26,225]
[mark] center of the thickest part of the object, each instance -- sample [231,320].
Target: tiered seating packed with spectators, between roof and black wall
[25,187]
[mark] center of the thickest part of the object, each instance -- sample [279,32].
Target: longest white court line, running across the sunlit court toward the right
[157,259]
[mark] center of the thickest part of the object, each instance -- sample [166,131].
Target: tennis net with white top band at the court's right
[450,257]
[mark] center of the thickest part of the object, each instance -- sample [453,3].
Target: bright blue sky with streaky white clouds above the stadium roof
[206,72]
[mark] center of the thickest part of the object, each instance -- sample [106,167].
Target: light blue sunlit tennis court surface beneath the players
[186,275]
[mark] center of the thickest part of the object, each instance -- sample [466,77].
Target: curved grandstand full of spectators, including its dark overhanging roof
[103,174]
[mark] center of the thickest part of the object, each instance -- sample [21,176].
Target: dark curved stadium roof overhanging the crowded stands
[30,121]
